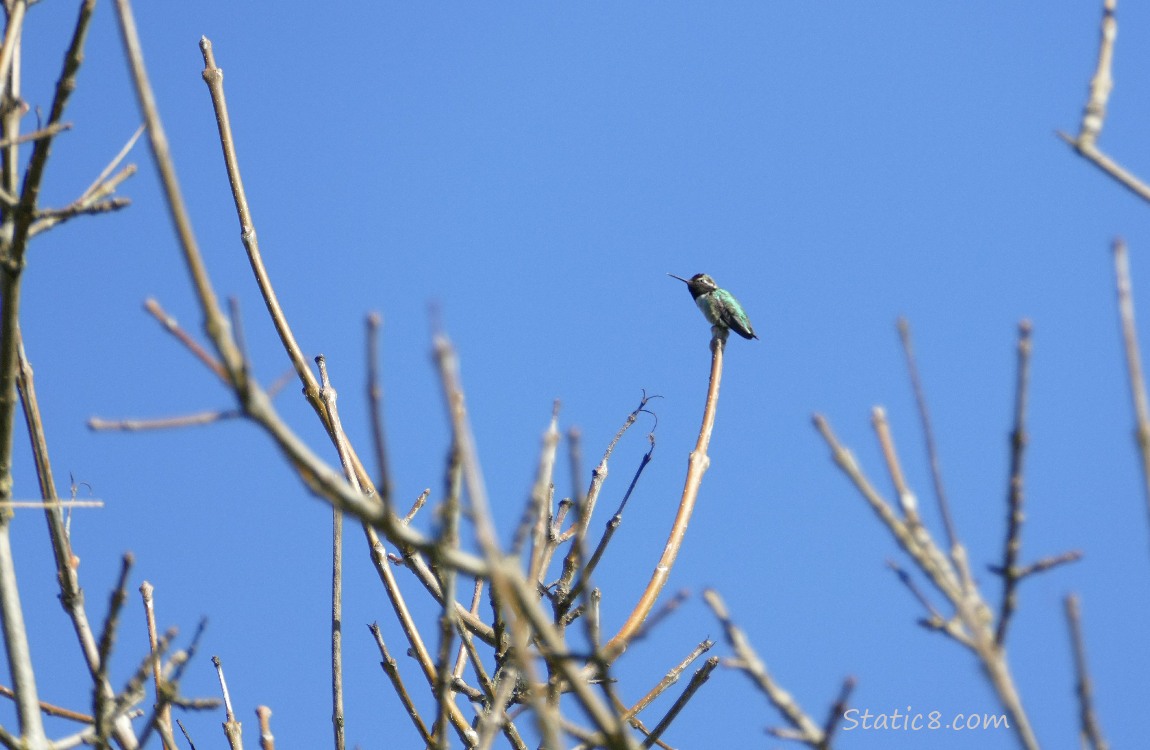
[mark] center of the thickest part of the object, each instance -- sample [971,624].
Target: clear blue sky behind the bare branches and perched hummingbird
[535,171]
